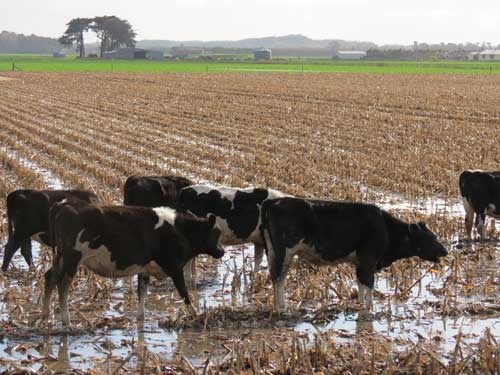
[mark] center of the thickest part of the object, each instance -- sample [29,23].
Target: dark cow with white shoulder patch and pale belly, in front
[119,241]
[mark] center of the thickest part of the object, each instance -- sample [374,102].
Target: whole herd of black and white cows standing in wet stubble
[166,221]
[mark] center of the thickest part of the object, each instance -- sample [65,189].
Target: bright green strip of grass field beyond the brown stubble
[45,63]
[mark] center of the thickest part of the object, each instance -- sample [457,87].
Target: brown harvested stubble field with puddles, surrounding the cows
[396,140]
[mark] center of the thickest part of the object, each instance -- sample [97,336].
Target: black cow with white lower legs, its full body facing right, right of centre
[329,232]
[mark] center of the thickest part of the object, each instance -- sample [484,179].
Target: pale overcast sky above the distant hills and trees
[382,21]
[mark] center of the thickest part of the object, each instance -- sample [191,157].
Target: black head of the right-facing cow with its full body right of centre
[424,243]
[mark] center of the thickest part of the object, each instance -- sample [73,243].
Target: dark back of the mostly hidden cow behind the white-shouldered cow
[153,191]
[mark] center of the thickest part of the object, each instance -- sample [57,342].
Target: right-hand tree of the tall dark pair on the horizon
[113,33]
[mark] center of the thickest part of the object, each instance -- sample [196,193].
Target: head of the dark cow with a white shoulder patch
[203,234]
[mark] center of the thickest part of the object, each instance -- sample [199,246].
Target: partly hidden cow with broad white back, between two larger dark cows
[237,211]
